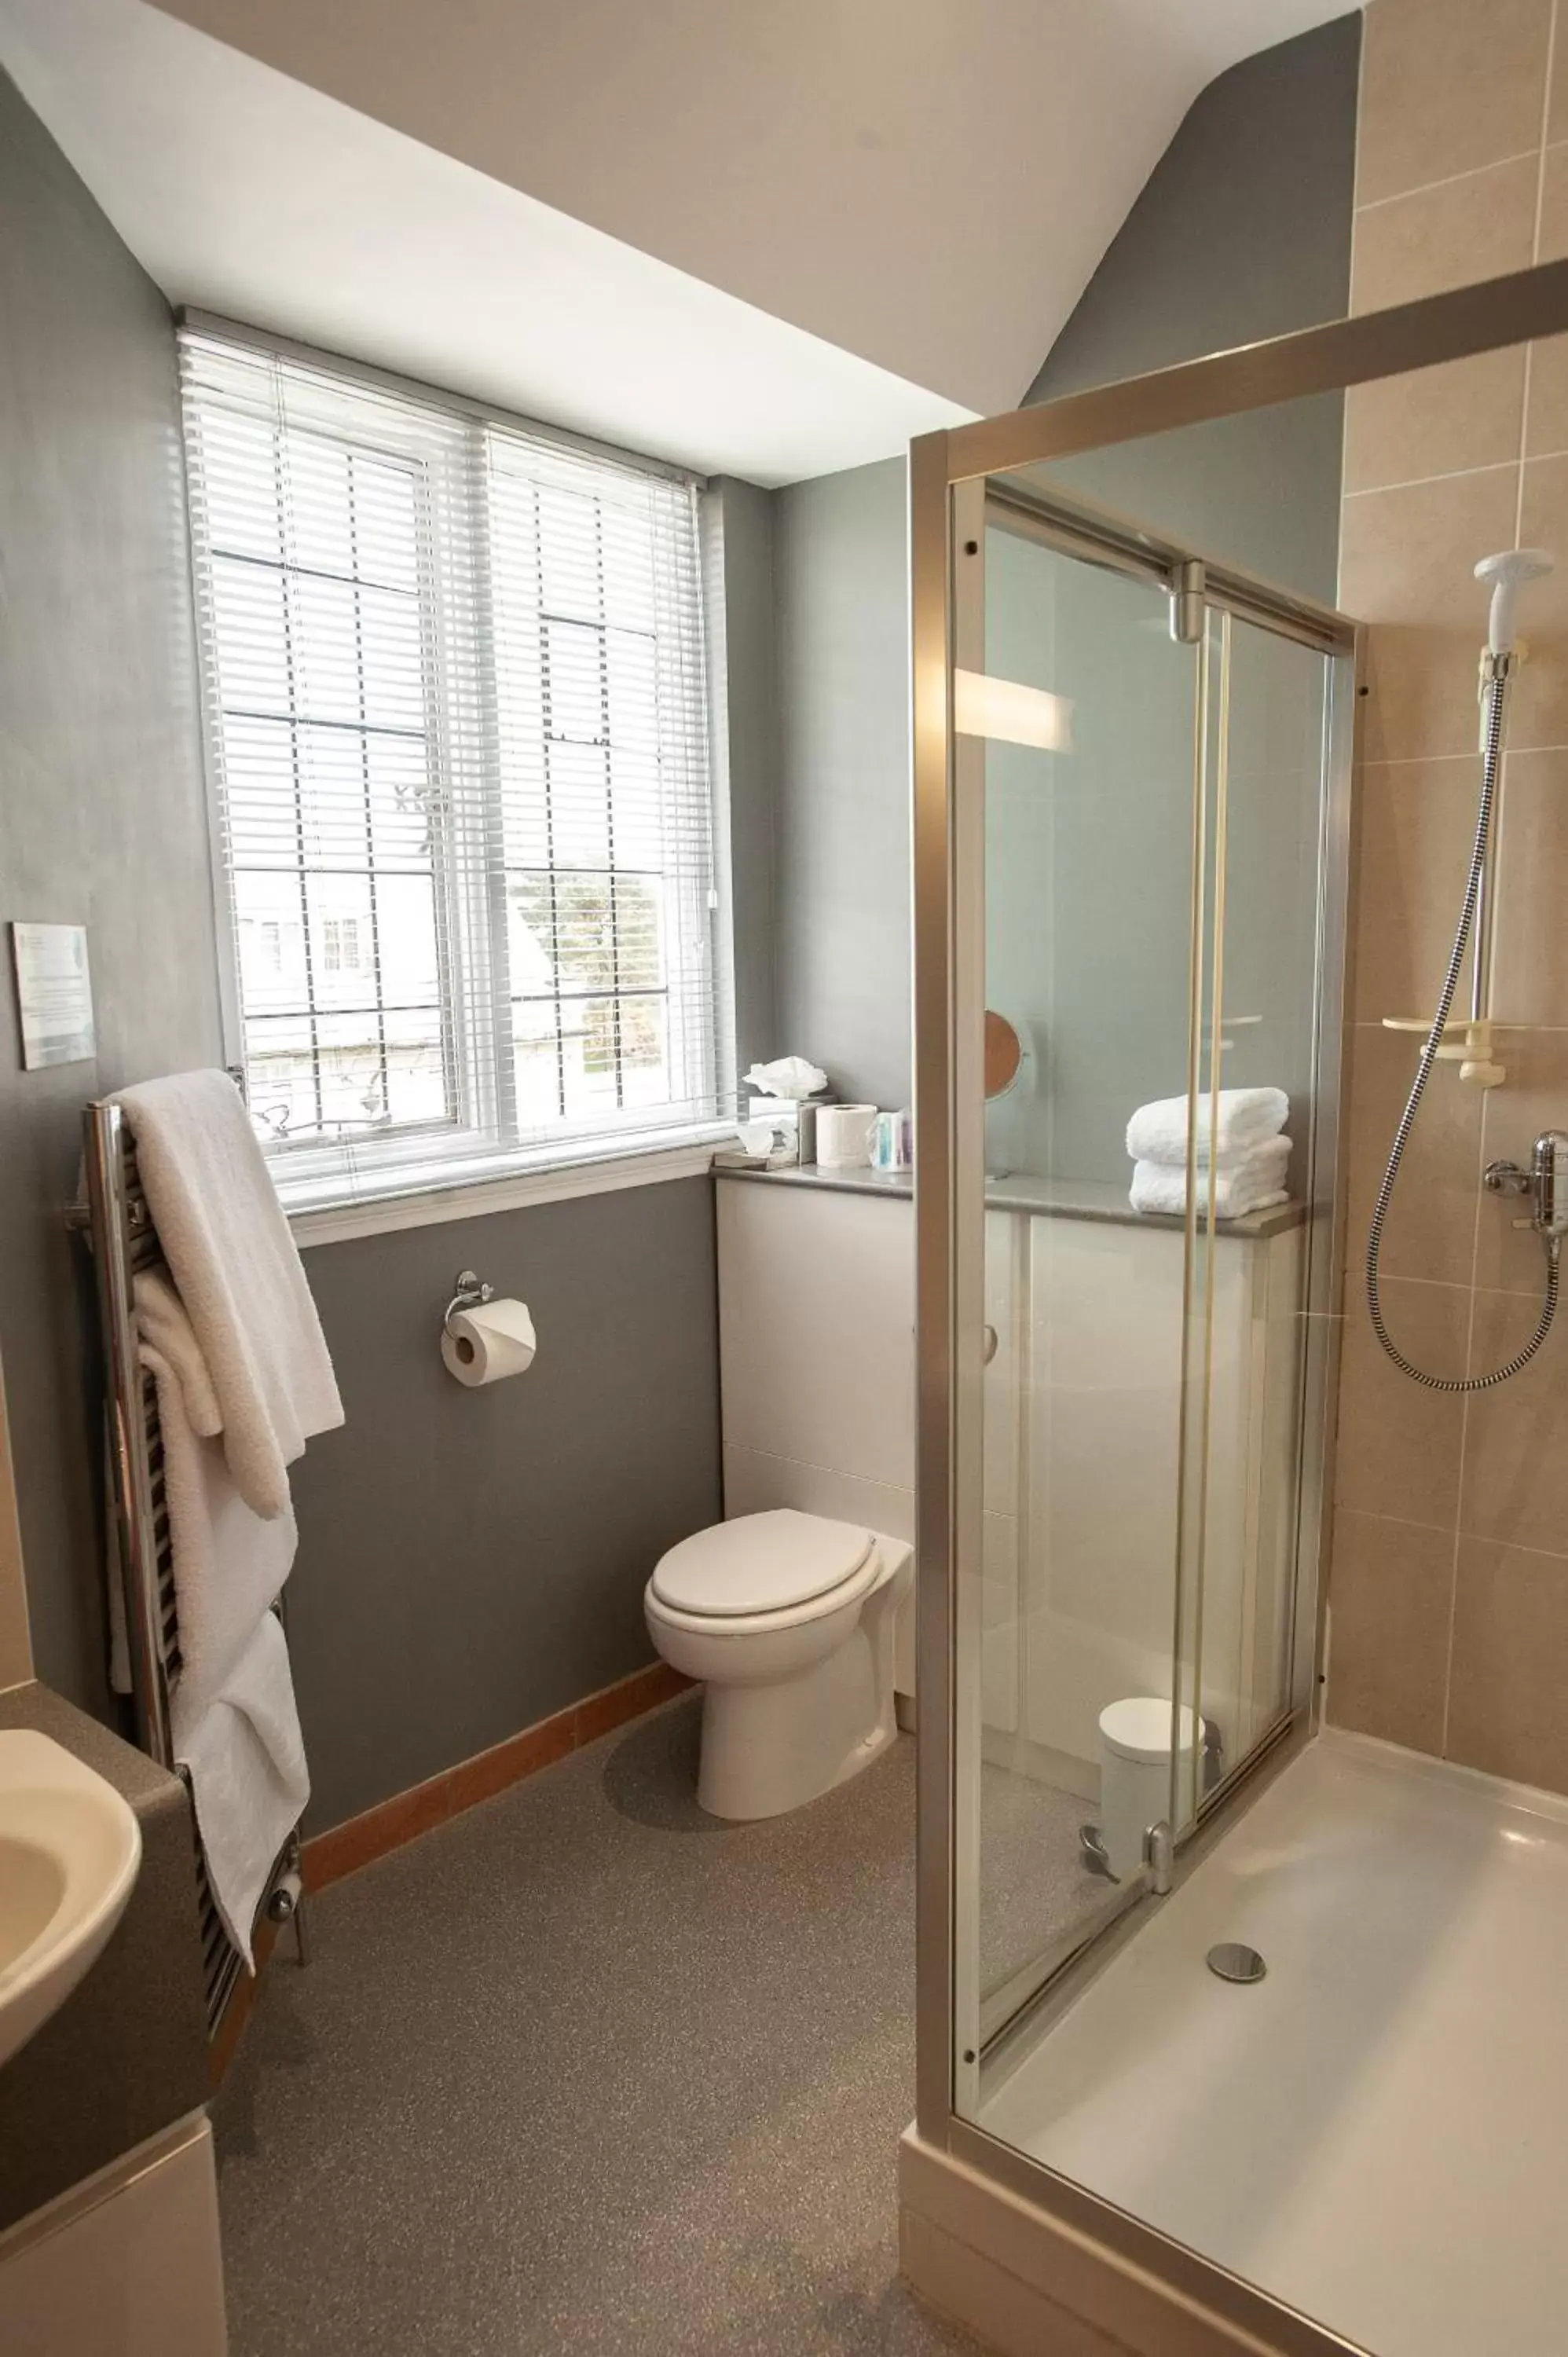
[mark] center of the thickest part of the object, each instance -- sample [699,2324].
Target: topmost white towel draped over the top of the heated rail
[237,1274]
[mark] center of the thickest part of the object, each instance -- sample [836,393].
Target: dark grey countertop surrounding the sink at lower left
[129,2052]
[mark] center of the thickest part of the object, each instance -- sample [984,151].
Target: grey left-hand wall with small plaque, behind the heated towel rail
[103,807]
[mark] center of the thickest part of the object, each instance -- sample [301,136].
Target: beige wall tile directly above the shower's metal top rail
[1447,237]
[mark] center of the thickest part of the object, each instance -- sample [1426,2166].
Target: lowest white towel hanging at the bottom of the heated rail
[249,1776]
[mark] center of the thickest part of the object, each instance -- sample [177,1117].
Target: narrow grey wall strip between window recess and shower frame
[845,779]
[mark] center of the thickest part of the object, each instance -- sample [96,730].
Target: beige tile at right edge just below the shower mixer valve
[1517,1437]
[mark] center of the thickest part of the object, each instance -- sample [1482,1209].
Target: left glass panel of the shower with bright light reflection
[1086,725]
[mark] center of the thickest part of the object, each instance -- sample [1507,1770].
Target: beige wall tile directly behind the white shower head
[1406,567]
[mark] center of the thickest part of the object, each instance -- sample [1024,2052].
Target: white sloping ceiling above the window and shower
[751,239]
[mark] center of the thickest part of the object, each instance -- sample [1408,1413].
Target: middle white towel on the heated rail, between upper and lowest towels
[230,1564]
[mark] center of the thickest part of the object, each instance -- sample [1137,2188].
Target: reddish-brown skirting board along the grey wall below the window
[386,1828]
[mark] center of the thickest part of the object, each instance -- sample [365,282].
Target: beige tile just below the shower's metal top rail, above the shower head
[1437,421]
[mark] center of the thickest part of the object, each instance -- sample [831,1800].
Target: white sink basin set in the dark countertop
[70,1856]
